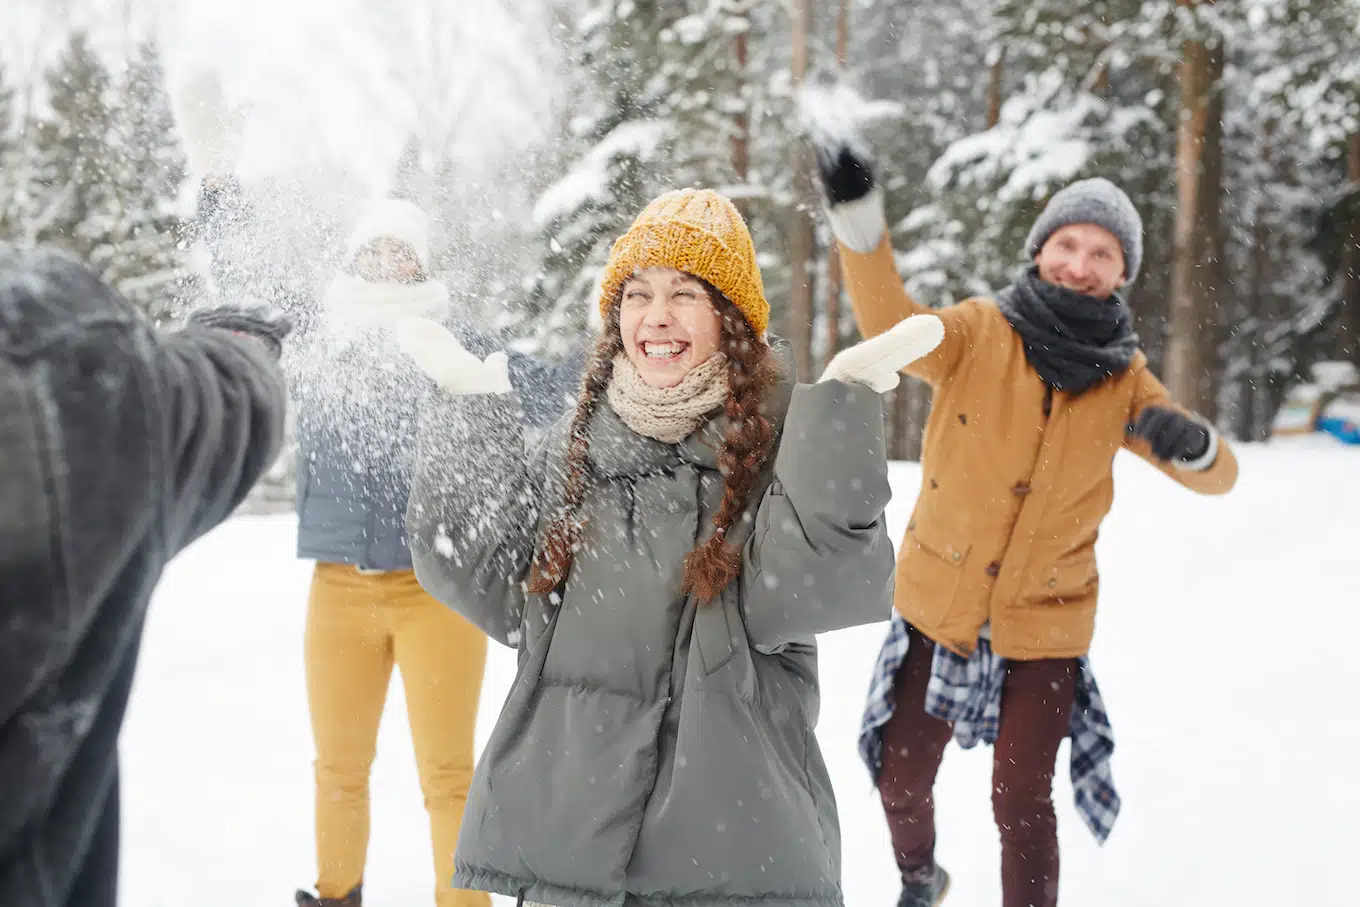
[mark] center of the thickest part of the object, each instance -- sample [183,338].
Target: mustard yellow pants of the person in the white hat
[358,626]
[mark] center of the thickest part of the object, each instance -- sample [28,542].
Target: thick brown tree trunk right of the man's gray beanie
[1191,347]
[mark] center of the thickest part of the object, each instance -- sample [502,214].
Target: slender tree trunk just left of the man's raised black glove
[800,226]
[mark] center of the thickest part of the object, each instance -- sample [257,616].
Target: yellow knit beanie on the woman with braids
[697,232]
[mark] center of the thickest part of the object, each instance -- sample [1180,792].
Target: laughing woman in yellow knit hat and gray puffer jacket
[664,562]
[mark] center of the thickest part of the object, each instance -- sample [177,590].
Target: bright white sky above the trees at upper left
[334,82]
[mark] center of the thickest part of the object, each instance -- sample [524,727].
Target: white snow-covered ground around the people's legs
[1225,652]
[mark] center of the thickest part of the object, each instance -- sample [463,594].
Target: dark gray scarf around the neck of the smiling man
[1074,341]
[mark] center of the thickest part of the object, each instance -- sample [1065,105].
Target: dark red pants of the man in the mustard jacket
[1036,704]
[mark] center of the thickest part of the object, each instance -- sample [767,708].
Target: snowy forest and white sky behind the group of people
[534,131]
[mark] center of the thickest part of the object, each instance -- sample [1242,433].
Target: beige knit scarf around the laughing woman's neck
[668,415]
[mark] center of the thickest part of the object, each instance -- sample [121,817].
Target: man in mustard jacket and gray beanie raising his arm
[1036,392]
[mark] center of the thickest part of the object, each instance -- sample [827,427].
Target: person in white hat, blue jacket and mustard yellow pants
[358,409]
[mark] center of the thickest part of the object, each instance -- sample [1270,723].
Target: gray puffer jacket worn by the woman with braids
[652,753]
